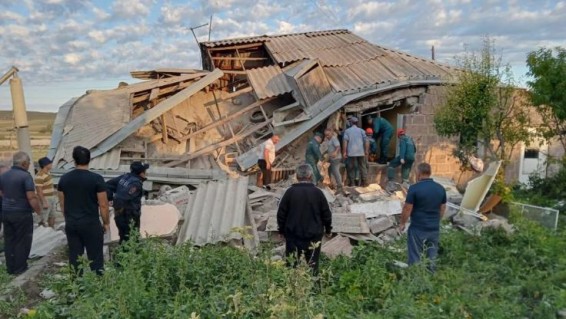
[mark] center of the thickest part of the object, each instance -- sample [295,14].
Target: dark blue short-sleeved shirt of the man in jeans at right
[426,196]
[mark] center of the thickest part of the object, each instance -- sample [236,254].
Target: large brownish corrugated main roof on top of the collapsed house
[350,62]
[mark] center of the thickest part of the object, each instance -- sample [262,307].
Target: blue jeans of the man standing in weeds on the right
[420,242]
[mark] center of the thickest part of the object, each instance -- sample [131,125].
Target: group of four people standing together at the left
[83,197]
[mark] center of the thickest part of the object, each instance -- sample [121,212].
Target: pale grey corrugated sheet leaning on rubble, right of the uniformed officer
[214,210]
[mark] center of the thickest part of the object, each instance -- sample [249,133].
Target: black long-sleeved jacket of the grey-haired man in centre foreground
[303,212]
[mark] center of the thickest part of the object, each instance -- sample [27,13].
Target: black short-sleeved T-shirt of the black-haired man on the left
[80,188]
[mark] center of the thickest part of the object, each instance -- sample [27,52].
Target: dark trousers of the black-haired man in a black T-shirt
[89,236]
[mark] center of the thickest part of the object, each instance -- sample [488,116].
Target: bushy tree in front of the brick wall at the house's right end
[484,108]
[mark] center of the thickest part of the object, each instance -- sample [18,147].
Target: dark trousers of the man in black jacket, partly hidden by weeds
[296,248]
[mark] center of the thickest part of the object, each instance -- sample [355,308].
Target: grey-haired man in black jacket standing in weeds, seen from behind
[303,218]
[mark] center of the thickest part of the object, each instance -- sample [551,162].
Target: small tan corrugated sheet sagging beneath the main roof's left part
[268,81]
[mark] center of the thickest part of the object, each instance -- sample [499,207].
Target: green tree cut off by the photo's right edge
[547,67]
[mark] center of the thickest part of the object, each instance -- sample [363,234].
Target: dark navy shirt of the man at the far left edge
[14,185]
